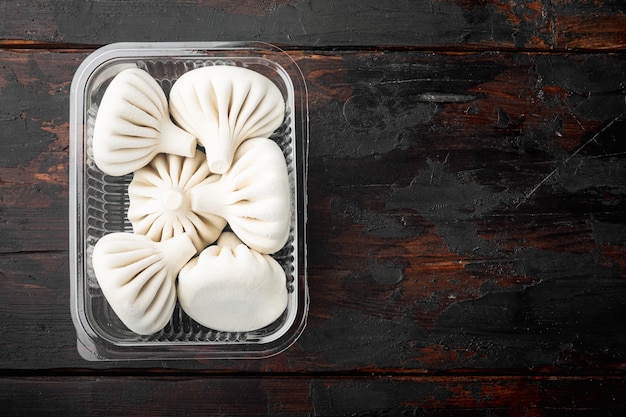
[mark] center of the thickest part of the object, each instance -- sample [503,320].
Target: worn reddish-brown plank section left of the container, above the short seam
[34,110]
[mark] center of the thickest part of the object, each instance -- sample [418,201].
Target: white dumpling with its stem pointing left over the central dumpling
[253,196]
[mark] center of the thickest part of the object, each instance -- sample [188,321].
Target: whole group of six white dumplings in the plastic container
[182,198]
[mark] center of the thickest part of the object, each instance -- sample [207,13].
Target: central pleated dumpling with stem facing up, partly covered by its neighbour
[160,203]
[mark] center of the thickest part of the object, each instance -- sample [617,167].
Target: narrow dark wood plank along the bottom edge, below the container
[317,396]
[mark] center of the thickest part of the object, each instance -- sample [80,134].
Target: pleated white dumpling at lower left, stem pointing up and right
[137,277]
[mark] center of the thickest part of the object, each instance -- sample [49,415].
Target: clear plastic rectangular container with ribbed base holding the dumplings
[99,202]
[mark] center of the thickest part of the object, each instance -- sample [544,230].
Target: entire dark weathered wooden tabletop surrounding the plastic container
[466,219]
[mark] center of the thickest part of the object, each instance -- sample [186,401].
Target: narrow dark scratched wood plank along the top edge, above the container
[545,25]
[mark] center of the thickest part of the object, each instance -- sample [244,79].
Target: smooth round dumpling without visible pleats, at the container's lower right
[232,288]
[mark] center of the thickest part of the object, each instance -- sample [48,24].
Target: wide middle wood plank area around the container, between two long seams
[466,212]
